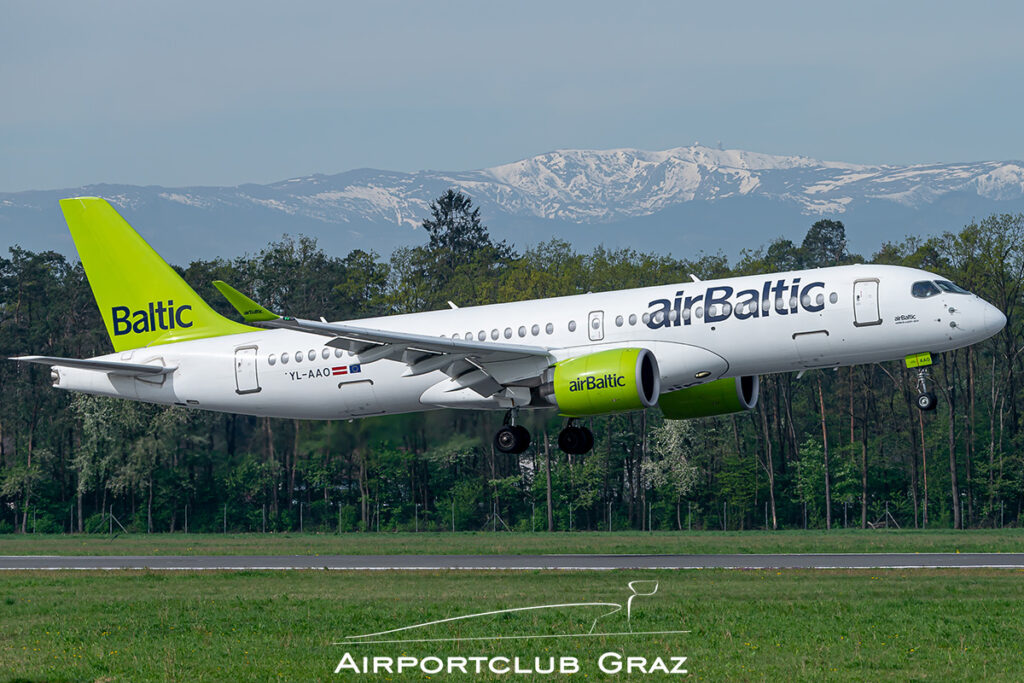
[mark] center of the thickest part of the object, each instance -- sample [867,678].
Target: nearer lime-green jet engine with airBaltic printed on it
[610,381]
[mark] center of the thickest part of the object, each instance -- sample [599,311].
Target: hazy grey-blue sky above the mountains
[230,93]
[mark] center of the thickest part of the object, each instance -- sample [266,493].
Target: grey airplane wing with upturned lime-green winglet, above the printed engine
[487,368]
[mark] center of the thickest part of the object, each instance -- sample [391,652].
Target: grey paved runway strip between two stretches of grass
[520,563]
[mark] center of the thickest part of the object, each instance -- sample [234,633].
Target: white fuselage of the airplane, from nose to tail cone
[699,332]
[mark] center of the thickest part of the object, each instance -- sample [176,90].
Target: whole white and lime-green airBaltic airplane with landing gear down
[695,349]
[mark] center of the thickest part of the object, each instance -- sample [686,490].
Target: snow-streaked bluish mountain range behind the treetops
[686,199]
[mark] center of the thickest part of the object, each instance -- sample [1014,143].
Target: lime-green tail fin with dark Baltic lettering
[143,301]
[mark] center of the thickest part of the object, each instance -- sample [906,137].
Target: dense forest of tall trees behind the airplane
[831,449]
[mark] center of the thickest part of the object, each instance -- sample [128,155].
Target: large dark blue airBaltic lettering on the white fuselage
[719,304]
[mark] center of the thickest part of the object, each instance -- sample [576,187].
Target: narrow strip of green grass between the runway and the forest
[840,541]
